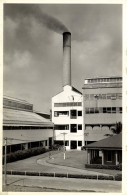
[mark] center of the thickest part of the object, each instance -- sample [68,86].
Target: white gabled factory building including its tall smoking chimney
[67,106]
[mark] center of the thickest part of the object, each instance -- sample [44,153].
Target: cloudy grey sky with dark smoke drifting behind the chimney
[33,50]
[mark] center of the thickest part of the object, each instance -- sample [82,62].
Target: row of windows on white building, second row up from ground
[73,127]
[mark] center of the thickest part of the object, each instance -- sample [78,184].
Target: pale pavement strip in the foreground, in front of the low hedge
[67,184]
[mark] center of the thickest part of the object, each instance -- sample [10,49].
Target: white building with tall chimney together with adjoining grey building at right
[83,118]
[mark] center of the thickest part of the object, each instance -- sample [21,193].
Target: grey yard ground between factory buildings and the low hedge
[75,159]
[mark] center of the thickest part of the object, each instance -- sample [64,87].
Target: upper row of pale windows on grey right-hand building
[112,96]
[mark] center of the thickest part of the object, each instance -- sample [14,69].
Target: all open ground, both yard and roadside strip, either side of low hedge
[55,163]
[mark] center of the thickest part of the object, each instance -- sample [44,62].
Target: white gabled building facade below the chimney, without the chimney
[67,118]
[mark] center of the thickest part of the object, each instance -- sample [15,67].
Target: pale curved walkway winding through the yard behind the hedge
[66,168]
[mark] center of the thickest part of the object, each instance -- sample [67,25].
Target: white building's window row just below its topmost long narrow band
[73,113]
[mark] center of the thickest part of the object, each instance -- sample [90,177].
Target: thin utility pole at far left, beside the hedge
[5,162]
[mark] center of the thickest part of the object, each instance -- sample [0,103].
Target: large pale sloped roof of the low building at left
[19,117]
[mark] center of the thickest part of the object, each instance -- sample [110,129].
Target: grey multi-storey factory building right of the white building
[102,106]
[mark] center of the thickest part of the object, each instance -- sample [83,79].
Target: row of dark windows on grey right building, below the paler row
[103,110]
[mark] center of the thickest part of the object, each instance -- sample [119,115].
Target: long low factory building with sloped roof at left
[23,128]
